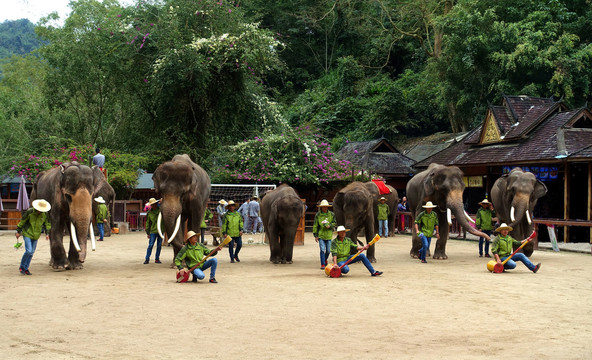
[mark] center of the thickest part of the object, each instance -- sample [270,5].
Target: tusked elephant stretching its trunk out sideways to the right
[443,186]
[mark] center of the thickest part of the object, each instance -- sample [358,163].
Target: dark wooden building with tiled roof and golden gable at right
[540,135]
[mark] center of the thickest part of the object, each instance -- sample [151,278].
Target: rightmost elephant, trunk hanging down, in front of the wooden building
[514,197]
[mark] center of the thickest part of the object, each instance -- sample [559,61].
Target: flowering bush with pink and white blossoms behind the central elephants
[298,155]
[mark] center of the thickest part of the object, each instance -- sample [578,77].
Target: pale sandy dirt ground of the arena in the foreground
[118,308]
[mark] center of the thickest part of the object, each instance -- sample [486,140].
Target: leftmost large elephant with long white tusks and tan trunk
[69,188]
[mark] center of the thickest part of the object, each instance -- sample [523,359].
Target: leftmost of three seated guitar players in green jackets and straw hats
[192,253]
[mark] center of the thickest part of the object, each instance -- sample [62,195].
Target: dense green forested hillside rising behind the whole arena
[217,79]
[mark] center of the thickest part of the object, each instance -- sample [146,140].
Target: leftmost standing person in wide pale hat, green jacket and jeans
[32,223]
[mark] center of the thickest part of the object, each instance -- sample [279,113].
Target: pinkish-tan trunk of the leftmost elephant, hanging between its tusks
[80,220]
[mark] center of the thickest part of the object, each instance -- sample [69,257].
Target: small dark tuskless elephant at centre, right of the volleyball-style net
[281,211]
